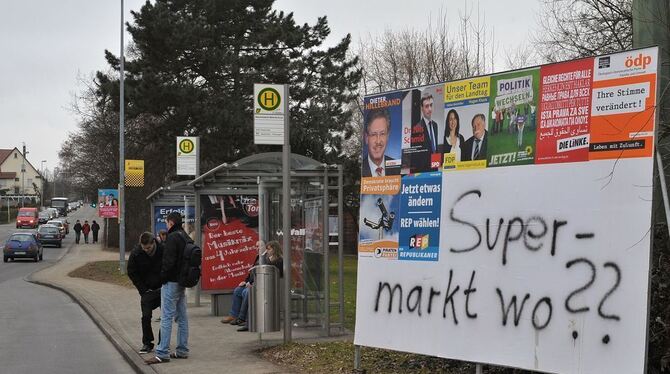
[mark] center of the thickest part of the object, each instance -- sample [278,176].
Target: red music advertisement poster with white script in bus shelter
[229,239]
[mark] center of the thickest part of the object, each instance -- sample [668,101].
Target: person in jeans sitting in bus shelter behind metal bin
[239,310]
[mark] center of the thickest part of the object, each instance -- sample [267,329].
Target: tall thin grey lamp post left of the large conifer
[122,202]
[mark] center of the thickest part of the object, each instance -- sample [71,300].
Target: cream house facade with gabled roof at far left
[15,182]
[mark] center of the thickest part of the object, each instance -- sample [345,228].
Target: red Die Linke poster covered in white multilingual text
[565,112]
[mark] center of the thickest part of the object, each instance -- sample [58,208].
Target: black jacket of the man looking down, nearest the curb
[144,270]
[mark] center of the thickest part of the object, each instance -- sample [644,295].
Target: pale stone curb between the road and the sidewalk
[128,353]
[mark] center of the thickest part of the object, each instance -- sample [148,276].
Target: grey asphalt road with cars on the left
[42,329]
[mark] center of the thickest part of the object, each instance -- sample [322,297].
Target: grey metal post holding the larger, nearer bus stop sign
[286,218]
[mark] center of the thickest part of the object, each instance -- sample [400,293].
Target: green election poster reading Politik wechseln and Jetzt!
[514,99]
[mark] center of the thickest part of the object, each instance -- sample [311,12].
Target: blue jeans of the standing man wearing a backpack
[173,304]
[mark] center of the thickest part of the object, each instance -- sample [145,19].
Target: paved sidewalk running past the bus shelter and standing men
[215,347]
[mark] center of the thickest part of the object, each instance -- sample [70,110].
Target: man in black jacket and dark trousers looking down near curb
[144,269]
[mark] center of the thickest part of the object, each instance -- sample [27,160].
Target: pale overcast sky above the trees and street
[47,46]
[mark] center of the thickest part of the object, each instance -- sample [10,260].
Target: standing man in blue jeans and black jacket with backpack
[173,296]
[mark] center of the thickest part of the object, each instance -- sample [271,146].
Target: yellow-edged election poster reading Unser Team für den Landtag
[466,105]
